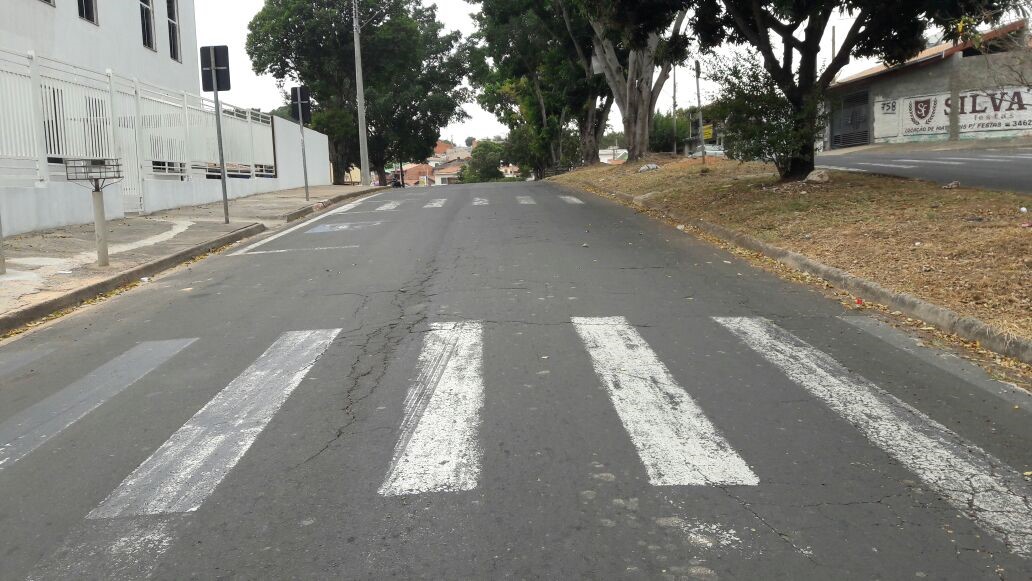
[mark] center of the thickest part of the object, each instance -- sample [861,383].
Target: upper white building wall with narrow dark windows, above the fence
[115,43]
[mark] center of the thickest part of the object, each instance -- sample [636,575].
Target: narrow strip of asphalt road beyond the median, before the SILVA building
[997,169]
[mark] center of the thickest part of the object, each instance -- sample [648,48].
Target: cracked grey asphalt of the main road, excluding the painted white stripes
[563,493]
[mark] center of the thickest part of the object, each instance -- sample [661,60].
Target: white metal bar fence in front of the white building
[51,111]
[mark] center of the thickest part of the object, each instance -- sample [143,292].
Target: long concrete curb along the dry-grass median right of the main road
[945,319]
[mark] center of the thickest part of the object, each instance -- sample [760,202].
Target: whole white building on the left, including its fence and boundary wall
[92,80]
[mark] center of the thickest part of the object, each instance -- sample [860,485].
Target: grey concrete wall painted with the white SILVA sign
[959,98]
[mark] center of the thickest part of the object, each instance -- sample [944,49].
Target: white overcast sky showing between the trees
[227,23]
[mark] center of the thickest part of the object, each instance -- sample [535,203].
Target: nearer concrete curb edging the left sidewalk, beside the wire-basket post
[22,317]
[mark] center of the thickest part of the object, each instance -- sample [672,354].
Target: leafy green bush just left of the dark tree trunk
[760,124]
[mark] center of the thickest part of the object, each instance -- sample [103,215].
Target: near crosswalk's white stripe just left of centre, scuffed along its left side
[438,448]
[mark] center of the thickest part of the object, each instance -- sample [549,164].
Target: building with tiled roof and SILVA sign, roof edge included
[949,92]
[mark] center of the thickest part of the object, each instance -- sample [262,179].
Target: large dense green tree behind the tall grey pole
[413,73]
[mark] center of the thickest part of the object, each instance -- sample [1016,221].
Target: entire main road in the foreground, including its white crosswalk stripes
[477,382]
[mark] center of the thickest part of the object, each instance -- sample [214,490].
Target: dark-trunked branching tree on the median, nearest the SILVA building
[788,37]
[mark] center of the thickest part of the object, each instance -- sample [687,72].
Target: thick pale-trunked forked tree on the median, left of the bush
[631,43]
